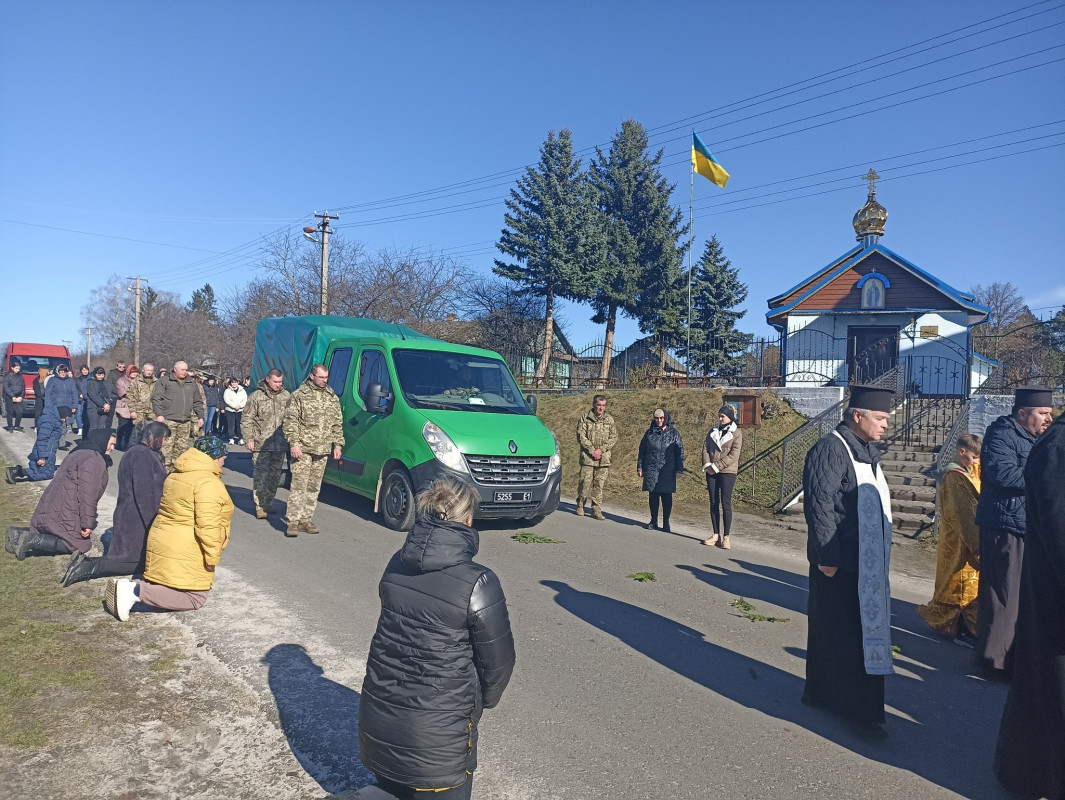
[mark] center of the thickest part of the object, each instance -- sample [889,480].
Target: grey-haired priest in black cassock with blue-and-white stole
[848,510]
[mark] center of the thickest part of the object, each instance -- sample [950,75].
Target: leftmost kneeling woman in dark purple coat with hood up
[65,516]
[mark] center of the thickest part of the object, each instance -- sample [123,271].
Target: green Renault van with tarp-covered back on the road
[418,409]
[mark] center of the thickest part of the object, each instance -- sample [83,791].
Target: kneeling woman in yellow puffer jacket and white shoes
[187,540]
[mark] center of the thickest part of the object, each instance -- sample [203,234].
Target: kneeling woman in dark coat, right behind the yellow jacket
[141,476]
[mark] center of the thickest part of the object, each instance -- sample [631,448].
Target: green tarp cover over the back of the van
[293,345]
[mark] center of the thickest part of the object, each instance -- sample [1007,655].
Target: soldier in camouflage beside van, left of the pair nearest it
[264,418]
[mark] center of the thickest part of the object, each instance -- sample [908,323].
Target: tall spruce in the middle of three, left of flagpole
[643,237]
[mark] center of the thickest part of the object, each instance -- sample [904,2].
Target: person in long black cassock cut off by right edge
[1030,759]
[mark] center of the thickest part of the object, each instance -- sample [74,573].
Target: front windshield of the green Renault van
[456,382]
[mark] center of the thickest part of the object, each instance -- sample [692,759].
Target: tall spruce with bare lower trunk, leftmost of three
[552,233]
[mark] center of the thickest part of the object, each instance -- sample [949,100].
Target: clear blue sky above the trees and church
[199,127]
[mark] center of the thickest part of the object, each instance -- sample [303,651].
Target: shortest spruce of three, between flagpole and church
[717,347]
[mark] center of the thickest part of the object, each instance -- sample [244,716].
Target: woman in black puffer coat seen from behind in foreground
[444,652]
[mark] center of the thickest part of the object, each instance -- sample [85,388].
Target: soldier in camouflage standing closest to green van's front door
[315,428]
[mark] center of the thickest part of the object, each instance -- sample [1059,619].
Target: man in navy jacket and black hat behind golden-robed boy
[1001,515]
